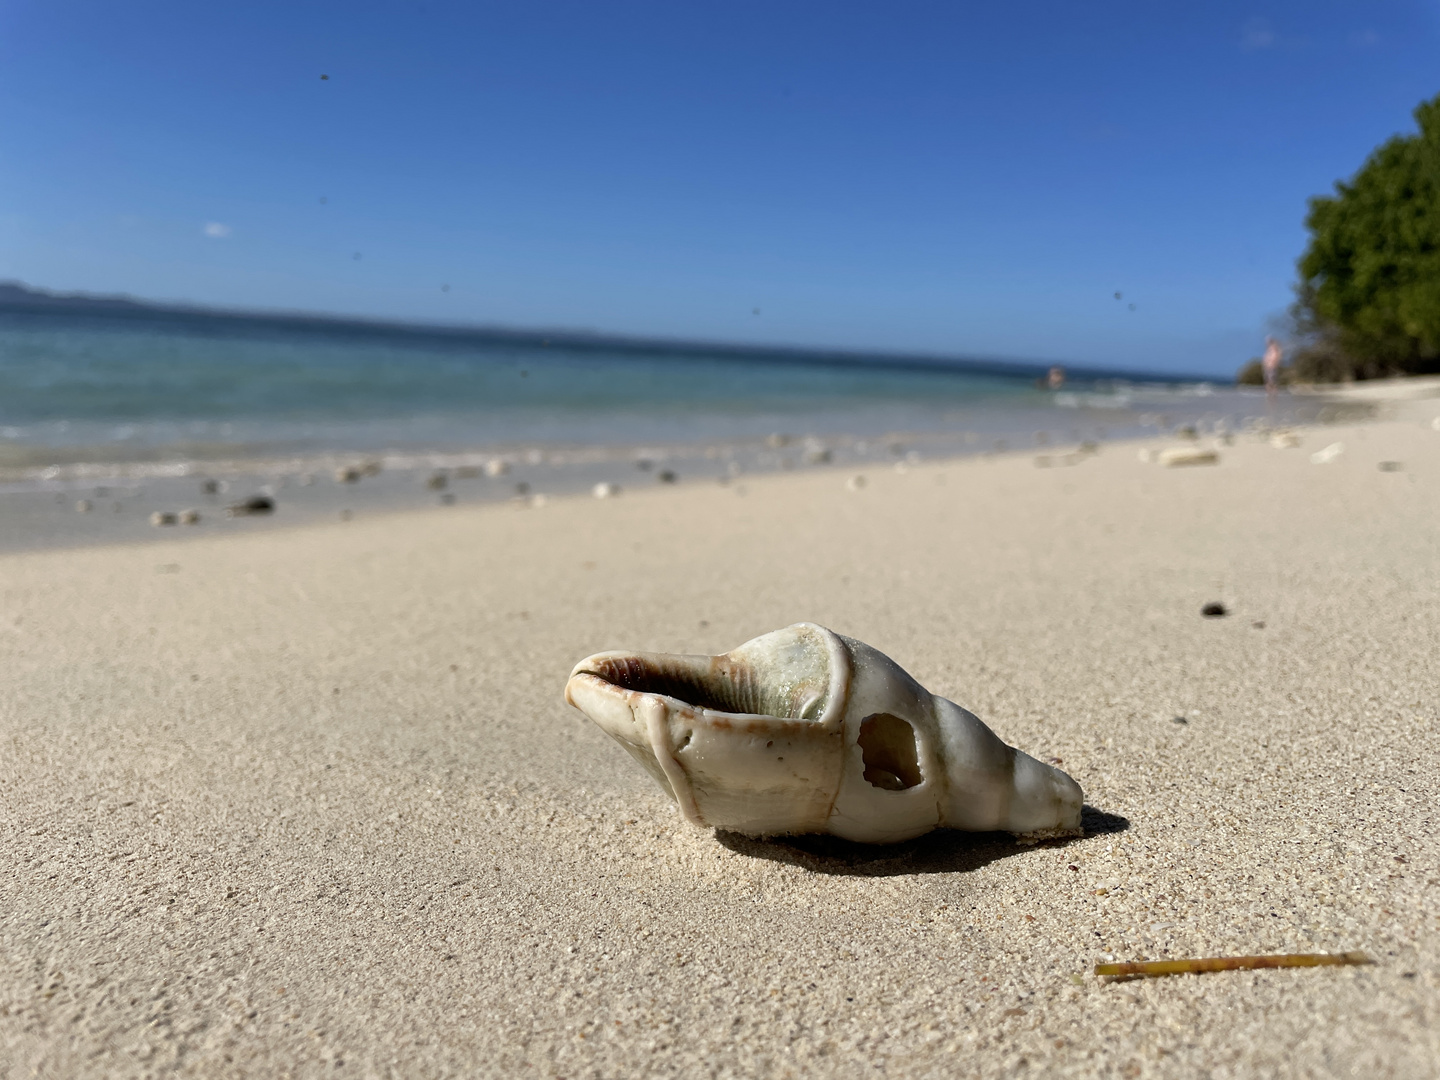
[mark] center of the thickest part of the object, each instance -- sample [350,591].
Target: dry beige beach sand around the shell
[309,803]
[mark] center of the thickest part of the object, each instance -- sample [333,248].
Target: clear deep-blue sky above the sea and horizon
[950,178]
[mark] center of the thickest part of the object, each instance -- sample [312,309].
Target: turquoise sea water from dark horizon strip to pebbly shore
[106,390]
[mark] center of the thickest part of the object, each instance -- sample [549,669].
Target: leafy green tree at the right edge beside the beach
[1369,299]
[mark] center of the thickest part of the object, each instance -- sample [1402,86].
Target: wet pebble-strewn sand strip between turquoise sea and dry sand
[90,503]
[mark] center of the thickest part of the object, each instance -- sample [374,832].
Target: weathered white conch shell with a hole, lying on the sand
[804,731]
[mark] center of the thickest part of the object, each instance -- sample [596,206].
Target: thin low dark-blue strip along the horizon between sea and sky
[18,297]
